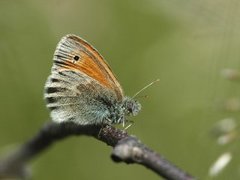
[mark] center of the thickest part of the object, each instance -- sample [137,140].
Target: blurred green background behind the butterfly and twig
[186,44]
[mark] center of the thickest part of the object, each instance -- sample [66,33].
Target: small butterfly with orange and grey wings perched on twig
[82,87]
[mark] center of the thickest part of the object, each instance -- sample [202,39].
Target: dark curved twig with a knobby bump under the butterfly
[126,148]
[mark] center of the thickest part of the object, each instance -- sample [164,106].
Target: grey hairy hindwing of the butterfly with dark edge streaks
[76,97]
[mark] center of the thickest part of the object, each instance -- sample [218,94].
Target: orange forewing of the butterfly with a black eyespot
[75,54]
